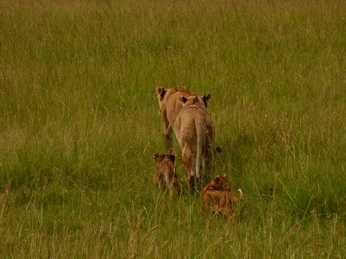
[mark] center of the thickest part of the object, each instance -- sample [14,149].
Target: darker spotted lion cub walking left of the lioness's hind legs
[165,175]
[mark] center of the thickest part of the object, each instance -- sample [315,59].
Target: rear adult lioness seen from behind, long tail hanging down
[195,133]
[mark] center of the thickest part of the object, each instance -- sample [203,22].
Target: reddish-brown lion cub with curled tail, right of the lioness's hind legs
[218,197]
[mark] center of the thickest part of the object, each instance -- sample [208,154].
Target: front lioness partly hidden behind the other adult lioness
[170,106]
